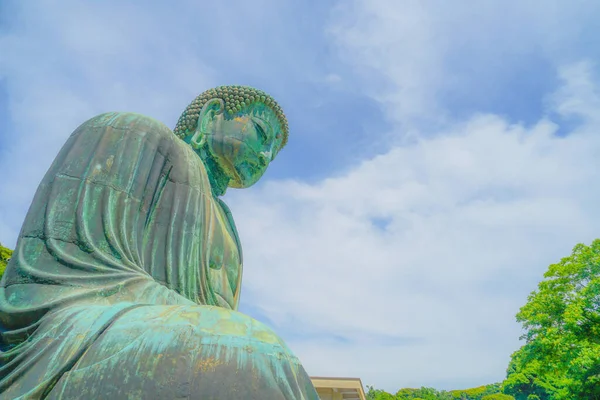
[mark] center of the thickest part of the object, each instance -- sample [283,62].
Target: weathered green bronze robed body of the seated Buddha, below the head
[126,277]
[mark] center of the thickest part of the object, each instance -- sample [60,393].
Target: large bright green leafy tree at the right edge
[561,356]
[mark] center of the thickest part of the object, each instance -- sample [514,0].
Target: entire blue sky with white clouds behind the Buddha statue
[441,156]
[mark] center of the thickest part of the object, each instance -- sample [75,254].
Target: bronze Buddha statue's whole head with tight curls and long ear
[238,128]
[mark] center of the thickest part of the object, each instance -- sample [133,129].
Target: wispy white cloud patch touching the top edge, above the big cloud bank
[398,44]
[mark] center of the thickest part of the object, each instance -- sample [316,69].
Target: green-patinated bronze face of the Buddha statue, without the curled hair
[243,146]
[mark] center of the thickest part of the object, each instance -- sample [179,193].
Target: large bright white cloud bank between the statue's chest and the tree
[476,214]
